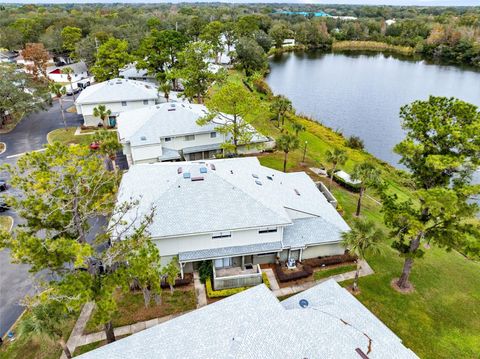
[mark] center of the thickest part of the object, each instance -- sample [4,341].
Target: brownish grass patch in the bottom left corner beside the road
[34,347]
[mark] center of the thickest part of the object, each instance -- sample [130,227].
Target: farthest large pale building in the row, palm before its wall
[118,95]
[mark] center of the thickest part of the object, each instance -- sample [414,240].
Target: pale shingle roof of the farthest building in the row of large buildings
[117,90]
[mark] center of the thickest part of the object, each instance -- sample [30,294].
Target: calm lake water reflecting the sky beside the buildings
[362,94]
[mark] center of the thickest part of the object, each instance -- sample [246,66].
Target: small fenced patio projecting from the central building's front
[234,277]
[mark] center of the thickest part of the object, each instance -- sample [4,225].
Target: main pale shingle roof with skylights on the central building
[238,194]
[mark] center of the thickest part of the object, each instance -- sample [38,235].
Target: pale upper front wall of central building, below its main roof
[173,245]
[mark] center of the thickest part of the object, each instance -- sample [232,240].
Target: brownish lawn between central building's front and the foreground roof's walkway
[132,310]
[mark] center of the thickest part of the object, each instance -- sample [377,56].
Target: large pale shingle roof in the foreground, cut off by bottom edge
[324,321]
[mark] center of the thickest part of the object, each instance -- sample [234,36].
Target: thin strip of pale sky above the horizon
[366,2]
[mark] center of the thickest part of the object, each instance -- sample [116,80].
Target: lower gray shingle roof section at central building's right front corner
[308,231]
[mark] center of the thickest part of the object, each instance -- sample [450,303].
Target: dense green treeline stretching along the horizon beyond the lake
[447,34]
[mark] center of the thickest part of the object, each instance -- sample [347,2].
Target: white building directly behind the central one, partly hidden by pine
[169,131]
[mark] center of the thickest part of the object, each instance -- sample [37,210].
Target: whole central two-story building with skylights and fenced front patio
[233,212]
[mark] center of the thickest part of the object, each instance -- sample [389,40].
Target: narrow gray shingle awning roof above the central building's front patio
[229,251]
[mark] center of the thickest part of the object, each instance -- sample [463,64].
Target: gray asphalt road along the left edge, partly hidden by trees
[29,135]
